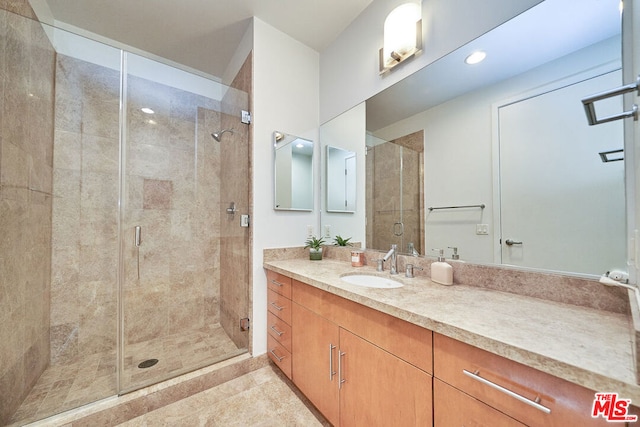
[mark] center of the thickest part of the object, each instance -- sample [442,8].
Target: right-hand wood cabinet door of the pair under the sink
[379,389]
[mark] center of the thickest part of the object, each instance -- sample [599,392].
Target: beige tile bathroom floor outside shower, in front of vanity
[261,398]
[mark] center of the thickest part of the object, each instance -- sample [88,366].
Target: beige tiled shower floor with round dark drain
[64,387]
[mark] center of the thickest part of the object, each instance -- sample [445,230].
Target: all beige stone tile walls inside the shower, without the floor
[58,282]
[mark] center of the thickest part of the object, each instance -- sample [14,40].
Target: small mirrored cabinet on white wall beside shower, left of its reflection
[293,171]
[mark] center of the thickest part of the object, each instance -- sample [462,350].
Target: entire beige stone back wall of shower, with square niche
[171,192]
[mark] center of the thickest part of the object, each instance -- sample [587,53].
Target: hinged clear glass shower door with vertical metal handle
[184,254]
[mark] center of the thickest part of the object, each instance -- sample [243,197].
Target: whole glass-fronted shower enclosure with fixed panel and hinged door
[110,169]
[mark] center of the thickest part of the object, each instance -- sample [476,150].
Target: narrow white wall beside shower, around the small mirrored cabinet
[285,98]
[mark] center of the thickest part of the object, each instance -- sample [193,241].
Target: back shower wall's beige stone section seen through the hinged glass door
[173,193]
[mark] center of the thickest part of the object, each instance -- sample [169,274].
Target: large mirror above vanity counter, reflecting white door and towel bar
[497,159]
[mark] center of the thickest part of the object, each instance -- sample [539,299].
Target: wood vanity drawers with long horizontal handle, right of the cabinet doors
[471,374]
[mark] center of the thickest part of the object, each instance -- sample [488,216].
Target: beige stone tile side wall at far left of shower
[26,156]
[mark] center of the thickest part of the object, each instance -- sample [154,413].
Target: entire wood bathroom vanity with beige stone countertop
[427,354]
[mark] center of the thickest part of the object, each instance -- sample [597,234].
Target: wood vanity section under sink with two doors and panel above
[349,360]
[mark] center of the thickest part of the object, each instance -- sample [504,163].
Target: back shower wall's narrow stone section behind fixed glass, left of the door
[85,235]
